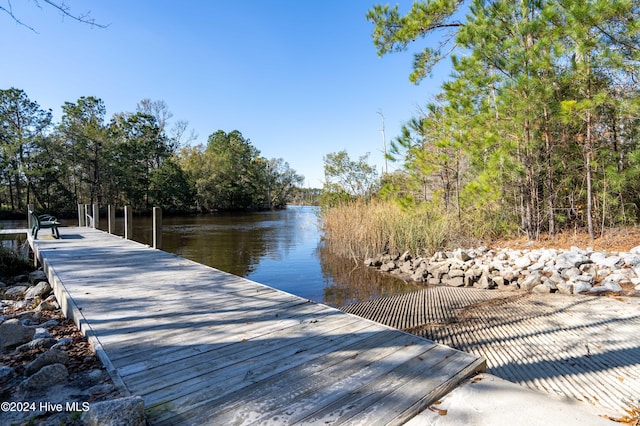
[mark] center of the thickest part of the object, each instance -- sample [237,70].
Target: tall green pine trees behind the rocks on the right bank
[537,128]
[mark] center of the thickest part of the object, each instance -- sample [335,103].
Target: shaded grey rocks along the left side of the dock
[49,374]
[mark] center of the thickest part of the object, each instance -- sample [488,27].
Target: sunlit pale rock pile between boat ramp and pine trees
[570,271]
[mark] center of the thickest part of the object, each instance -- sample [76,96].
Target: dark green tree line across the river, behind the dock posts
[133,159]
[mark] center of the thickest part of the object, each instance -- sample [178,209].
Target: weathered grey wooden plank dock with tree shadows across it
[202,346]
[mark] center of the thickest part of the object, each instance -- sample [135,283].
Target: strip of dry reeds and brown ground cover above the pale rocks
[360,229]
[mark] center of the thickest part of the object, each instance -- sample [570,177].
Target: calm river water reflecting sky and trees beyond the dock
[282,249]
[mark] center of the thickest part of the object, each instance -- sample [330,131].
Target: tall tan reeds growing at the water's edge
[360,229]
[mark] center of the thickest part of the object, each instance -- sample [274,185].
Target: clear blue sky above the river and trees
[298,78]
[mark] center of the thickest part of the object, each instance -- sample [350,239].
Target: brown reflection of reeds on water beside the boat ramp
[351,282]
